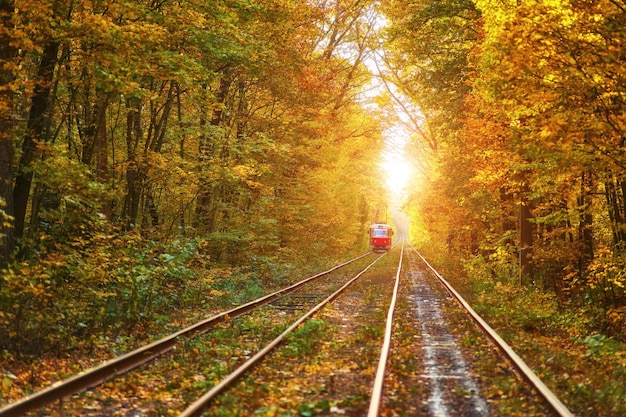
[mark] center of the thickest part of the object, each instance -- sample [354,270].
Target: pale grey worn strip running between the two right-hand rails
[452,390]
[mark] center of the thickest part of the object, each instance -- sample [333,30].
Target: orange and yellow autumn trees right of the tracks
[525,102]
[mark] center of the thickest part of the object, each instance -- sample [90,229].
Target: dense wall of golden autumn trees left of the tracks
[137,133]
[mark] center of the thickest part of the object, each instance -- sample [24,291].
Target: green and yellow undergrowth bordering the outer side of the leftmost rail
[106,294]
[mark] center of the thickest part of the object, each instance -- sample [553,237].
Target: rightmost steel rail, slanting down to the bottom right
[557,406]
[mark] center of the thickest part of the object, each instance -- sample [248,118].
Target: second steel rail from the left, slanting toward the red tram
[196,408]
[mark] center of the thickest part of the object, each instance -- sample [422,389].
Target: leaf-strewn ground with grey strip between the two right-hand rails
[454,369]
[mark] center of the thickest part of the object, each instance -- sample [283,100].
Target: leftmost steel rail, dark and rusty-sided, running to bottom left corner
[124,363]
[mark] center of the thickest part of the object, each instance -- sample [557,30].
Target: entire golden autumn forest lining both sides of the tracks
[236,134]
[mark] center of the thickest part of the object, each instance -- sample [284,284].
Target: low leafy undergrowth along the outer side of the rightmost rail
[562,341]
